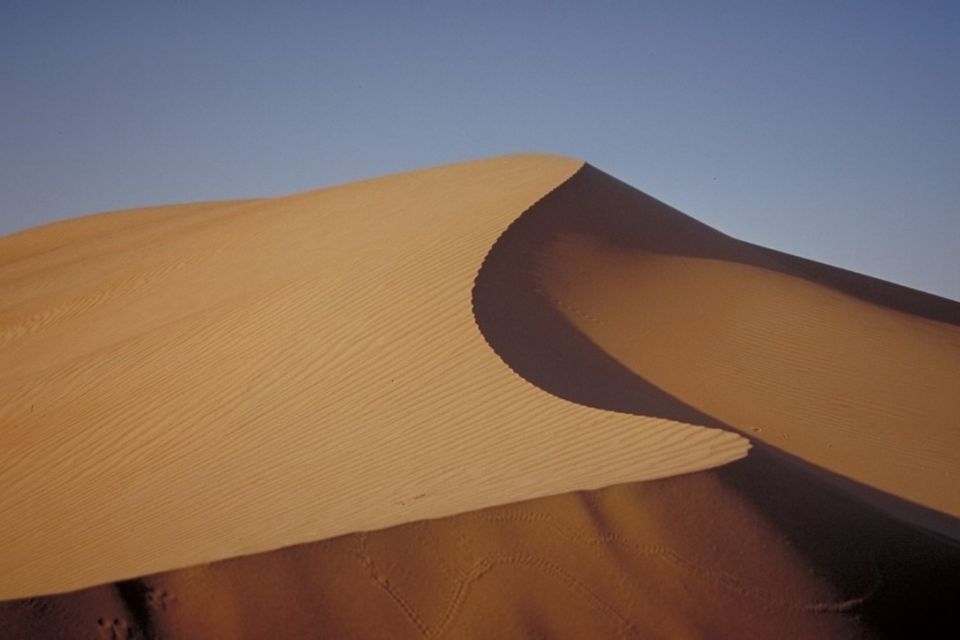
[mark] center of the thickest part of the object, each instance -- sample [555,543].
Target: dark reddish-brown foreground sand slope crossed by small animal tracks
[754,549]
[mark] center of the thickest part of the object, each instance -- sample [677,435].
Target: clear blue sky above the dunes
[825,129]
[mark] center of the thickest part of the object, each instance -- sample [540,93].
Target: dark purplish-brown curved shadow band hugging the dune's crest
[527,331]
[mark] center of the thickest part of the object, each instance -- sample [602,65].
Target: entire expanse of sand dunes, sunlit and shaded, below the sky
[423,406]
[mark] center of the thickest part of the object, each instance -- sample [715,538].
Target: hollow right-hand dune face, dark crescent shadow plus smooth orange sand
[661,315]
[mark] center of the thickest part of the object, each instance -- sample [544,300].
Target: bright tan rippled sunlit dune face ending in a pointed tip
[224,379]
